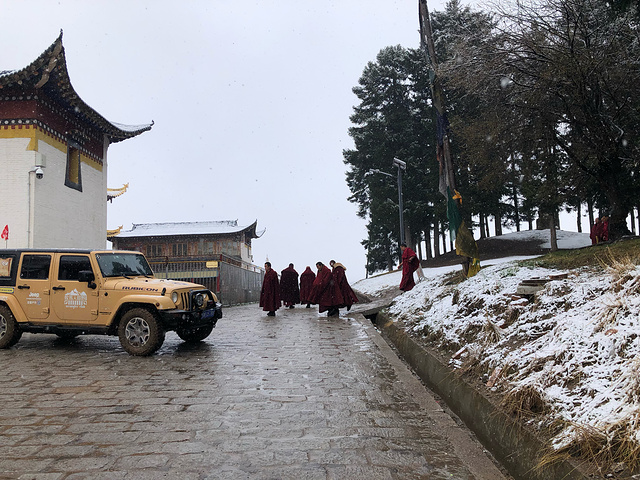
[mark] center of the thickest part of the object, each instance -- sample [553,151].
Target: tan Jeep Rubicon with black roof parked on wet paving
[76,292]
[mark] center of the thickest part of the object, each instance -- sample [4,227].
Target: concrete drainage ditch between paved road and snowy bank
[511,443]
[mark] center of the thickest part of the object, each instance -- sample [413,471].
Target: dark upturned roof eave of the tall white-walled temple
[48,73]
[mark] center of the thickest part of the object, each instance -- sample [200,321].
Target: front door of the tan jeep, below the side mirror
[73,302]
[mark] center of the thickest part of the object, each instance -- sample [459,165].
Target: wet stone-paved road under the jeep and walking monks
[298,396]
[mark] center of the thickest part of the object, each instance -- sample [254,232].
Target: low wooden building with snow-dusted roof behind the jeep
[216,254]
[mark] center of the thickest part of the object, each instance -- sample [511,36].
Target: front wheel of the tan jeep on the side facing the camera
[140,332]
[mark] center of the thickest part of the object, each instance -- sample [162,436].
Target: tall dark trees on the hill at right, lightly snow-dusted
[543,117]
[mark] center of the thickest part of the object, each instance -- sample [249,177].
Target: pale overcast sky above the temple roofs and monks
[251,104]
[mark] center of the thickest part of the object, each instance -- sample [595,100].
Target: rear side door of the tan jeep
[32,286]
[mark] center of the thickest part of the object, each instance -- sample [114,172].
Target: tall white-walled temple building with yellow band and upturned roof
[53,158]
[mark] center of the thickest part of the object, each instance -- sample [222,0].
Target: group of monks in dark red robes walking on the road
[329,289]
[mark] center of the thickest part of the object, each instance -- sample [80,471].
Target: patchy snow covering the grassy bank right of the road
[577,345]
